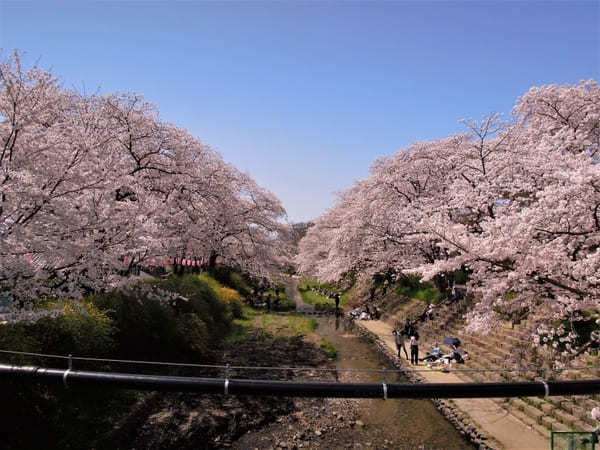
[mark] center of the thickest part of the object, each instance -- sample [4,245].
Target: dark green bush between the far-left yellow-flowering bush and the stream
[184,329]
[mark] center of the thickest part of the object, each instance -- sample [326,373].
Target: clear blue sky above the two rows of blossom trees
[304,95]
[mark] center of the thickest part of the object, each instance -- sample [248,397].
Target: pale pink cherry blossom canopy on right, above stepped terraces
[516,202]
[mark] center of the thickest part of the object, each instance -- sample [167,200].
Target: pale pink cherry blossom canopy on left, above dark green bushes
[91,184]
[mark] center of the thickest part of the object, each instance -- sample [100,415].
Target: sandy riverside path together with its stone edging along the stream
[483,421]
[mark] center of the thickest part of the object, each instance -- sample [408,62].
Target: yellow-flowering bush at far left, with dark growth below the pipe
[60,417]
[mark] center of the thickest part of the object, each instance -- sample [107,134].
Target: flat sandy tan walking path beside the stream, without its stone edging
[486,414]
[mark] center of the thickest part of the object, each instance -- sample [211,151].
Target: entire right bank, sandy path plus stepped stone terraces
[505,355]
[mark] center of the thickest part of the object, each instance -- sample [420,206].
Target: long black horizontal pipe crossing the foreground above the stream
[298,389]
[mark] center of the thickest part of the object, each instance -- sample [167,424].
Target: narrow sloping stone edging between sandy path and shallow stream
[452,414]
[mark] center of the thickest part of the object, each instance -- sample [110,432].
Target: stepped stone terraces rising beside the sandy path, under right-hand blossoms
[508,355]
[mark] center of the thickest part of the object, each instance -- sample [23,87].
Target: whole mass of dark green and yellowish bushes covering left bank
[138,323]
